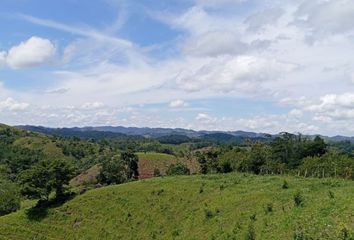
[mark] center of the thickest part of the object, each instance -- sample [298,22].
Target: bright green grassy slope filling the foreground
[175,208]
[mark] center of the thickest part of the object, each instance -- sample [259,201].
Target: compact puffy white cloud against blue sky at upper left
[30,53]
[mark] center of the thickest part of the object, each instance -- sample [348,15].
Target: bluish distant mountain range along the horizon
[178,134]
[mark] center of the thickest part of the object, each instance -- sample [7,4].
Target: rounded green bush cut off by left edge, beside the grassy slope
[9,198]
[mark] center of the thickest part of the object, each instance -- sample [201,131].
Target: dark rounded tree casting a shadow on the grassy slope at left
[45,177]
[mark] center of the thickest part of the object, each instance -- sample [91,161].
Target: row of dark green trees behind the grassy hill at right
[287,153]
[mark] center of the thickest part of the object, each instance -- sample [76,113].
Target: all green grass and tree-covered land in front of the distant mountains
[283,187]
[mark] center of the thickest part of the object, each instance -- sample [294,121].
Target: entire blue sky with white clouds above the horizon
[255,65]
